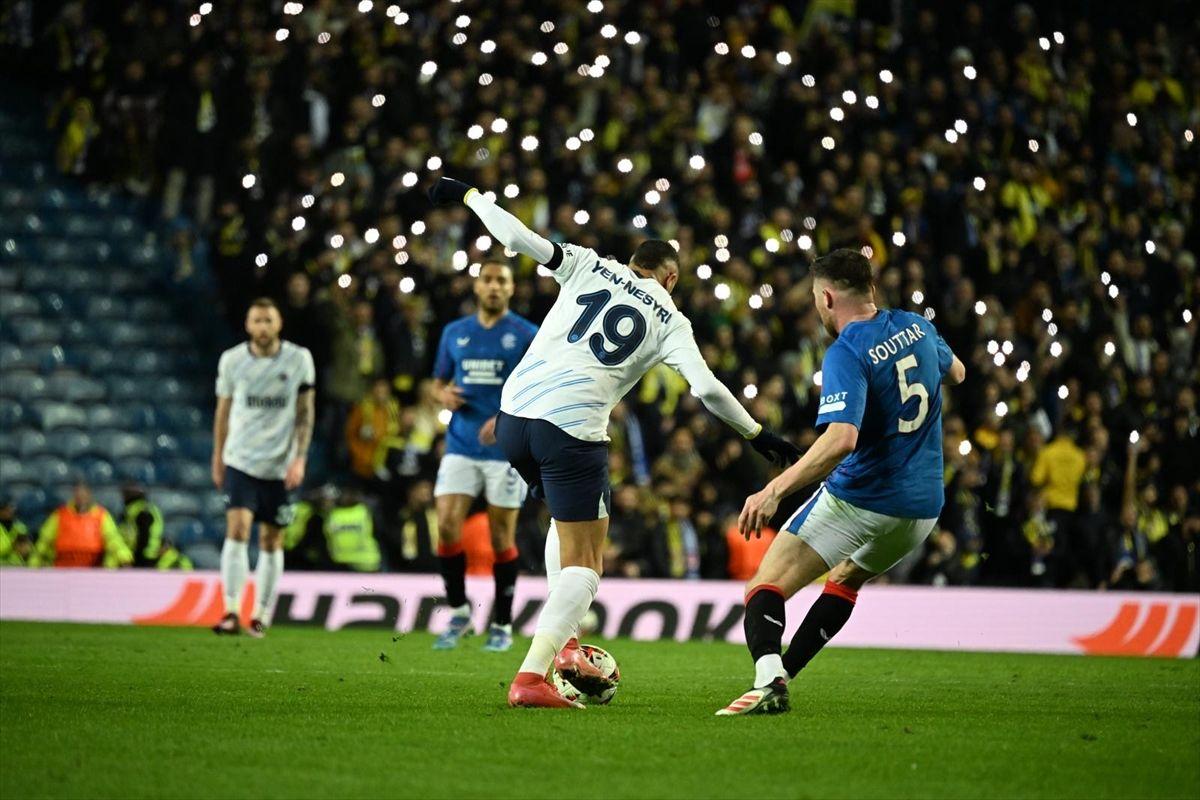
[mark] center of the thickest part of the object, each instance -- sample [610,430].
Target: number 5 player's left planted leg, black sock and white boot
[790,566]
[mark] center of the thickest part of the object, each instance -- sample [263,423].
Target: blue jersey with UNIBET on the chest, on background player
[479,360]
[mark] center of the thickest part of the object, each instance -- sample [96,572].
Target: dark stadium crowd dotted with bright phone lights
[1027,182]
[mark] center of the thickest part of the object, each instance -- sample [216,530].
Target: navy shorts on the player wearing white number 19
[569,473]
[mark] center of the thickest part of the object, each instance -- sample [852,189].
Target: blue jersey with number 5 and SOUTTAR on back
[885,377]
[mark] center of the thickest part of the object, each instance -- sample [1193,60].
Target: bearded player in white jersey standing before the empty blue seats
[261,436]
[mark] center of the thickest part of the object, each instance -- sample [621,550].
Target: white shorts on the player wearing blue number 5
[837,531]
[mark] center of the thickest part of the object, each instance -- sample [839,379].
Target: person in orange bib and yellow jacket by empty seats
[81,533]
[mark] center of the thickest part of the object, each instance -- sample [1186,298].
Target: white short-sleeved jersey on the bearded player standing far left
[263,412]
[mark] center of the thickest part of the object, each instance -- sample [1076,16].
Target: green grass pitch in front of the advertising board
[178,713]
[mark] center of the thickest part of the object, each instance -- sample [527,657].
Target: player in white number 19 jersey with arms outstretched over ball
[611,323]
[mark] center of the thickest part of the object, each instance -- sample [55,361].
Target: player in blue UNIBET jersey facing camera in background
[476,356]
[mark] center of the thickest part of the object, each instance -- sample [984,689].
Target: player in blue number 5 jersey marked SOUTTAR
[881,456]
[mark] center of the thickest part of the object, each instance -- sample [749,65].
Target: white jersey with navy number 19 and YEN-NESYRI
[607,330]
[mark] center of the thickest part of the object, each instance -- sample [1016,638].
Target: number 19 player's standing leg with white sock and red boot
[581,548]
